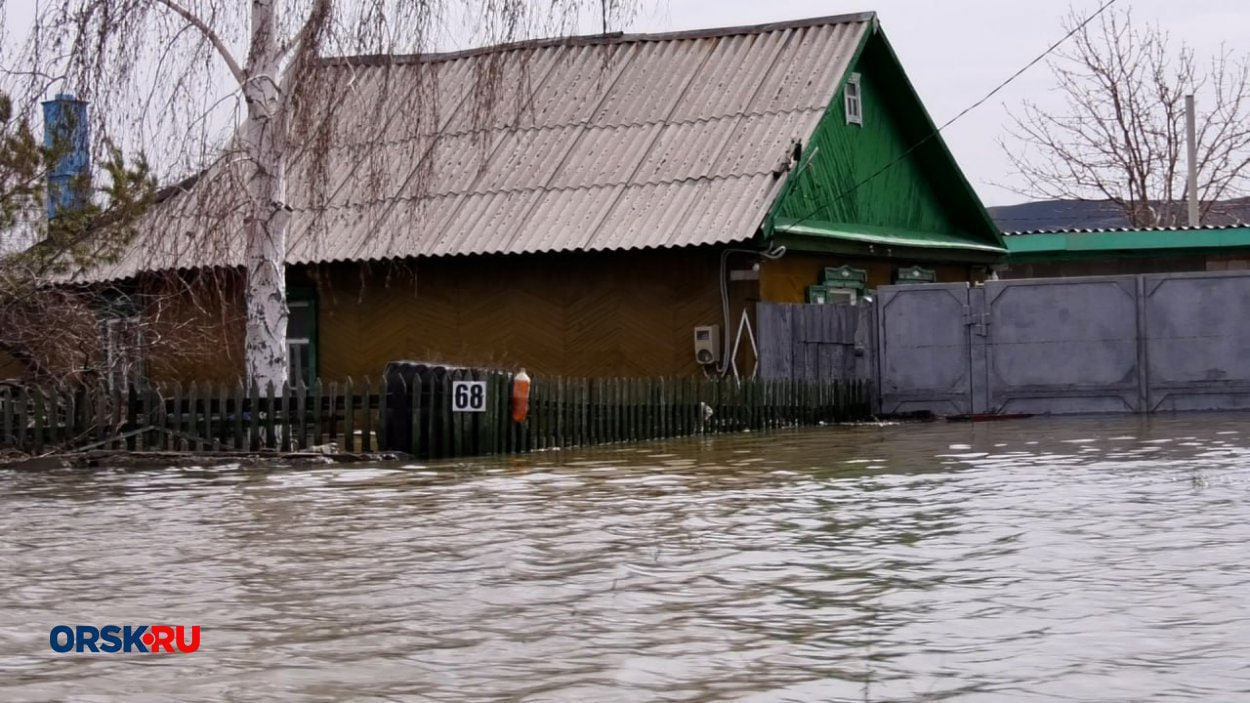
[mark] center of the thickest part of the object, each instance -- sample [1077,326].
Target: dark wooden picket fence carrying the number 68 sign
[416,418]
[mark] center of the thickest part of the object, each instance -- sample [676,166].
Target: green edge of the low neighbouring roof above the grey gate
[1122,241]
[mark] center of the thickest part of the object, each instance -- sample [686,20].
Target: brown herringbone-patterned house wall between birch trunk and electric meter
[569,315]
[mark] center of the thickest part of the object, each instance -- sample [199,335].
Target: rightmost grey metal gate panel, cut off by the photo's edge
[1198,341]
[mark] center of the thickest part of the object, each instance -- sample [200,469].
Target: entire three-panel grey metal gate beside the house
[1101,345]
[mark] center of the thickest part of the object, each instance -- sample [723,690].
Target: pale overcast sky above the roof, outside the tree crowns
[954,51]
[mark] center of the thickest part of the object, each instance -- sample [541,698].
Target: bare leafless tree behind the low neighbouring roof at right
[1121,134]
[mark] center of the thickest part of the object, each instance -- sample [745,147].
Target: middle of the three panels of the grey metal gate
[1063,346]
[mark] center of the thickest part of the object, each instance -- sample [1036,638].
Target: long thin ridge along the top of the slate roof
[596,41]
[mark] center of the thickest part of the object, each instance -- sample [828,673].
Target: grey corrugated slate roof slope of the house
[602,143]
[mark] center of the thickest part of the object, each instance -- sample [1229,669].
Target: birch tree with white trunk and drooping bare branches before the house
[167,67]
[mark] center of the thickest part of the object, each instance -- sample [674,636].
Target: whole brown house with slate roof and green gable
[627,205]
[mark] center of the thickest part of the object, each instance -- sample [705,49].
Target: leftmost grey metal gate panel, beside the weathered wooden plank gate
[924,353]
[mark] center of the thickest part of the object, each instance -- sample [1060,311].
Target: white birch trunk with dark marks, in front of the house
[264,139]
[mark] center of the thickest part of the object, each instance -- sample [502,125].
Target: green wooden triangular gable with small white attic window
[886,187]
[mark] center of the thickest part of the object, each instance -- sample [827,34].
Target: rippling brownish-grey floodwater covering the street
[1047,560]
